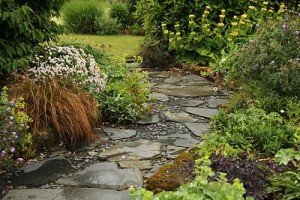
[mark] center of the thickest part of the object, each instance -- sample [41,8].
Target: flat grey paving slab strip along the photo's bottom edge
[67,194]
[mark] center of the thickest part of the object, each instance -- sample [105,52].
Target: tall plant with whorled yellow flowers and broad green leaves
[207,35]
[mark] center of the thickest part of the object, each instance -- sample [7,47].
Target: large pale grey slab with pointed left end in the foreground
[104,176]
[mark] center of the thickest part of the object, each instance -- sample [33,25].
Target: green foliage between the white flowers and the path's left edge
[125,92]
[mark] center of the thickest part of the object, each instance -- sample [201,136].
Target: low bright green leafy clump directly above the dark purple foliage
[254,129]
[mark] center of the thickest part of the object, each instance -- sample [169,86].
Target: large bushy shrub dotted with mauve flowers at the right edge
[270,59]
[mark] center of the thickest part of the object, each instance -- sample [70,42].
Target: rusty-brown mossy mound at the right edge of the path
[171,176]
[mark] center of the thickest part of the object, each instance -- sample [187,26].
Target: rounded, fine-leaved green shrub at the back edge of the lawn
[82,16]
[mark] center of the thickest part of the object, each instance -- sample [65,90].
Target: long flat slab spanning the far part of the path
[187,91]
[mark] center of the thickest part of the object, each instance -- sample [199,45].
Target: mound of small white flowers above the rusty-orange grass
[68,63]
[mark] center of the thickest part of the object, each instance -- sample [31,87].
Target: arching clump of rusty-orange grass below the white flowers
[70,112]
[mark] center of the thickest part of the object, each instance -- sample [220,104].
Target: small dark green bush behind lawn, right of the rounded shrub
[120,12]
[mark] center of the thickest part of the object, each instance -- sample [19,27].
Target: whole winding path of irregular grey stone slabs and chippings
[182,108]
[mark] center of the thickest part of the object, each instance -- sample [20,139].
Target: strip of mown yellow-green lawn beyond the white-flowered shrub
[121,45]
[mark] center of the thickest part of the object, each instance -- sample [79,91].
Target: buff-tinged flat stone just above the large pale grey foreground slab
[136,150]
